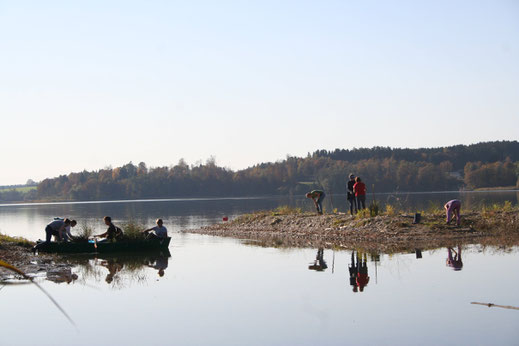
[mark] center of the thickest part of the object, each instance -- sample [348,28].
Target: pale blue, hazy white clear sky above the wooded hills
[91,84]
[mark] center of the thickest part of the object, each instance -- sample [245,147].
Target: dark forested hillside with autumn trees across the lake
[482,165]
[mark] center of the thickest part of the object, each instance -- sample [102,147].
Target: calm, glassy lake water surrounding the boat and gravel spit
[220,291]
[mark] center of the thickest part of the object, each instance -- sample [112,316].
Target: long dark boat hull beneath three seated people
[106,246]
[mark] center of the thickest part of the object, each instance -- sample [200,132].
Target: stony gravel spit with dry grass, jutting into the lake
[382,233]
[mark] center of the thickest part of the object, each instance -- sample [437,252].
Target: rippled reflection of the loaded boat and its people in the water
[120,270]
